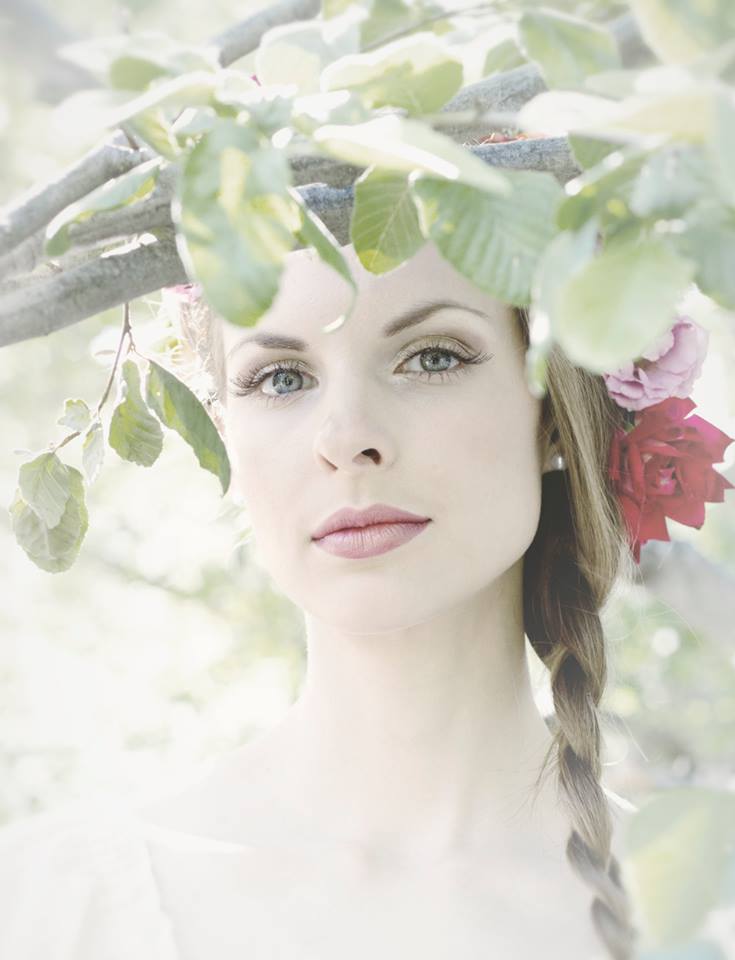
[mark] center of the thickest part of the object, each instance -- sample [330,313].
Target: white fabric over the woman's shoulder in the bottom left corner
[79,885]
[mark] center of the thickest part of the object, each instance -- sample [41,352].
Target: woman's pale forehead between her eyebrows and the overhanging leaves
[312,294]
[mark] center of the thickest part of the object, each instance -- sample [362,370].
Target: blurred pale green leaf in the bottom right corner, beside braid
[677,858]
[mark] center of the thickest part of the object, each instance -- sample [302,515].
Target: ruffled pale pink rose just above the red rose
[667,369]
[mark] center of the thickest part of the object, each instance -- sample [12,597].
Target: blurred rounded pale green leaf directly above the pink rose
[616,305]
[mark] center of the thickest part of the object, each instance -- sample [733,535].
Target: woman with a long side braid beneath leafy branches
[403,807]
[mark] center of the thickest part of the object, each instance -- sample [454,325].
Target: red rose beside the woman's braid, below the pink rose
[662,467]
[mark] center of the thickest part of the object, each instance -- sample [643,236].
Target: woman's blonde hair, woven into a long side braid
[578,553]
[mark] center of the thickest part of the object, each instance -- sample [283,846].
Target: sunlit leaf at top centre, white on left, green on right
[416,73]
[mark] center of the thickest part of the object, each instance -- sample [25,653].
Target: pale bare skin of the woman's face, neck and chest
[390,812]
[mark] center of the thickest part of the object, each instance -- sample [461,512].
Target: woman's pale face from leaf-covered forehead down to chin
[359,420]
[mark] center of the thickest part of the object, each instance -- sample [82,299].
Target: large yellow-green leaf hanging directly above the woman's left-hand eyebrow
[236,220]
